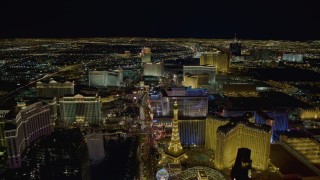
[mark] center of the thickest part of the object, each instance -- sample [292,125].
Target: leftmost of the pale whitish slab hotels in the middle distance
[106,78]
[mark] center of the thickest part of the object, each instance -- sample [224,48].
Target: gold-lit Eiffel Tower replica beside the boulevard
[174,153]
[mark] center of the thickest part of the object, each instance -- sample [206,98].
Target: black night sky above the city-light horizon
[259,19]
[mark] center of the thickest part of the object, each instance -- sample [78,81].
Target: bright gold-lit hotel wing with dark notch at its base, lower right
[240,133]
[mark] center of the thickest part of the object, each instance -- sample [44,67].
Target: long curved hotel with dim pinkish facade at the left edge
[24,127]
